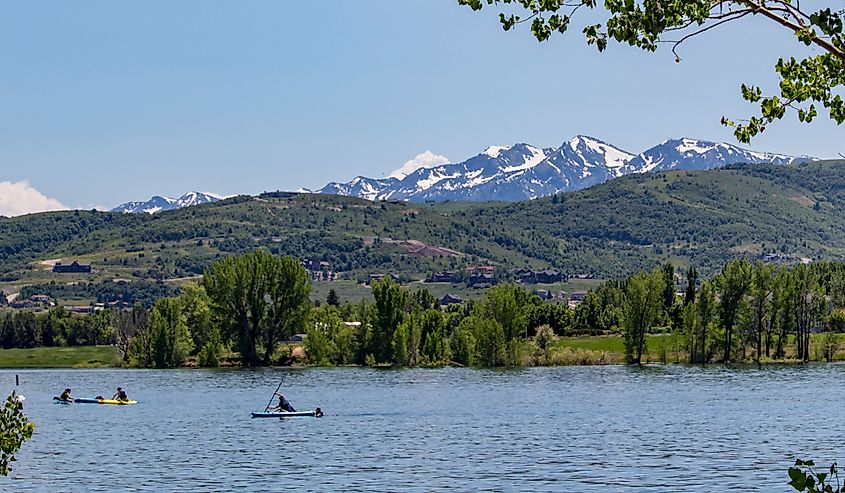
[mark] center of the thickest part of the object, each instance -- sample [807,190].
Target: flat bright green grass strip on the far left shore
[64,357]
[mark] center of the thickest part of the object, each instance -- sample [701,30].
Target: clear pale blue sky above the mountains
[103,102]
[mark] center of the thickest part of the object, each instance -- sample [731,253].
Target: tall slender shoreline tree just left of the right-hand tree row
[643,304]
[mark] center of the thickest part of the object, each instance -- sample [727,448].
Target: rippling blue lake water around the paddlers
[661,429]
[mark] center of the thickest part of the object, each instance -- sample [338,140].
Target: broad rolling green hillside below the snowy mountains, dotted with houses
[634,222]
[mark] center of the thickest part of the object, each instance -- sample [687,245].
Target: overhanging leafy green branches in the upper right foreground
[807,84]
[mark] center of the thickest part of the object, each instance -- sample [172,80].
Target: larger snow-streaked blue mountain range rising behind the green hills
[523,171]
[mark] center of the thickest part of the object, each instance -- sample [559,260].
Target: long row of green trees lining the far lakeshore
[251,304]
